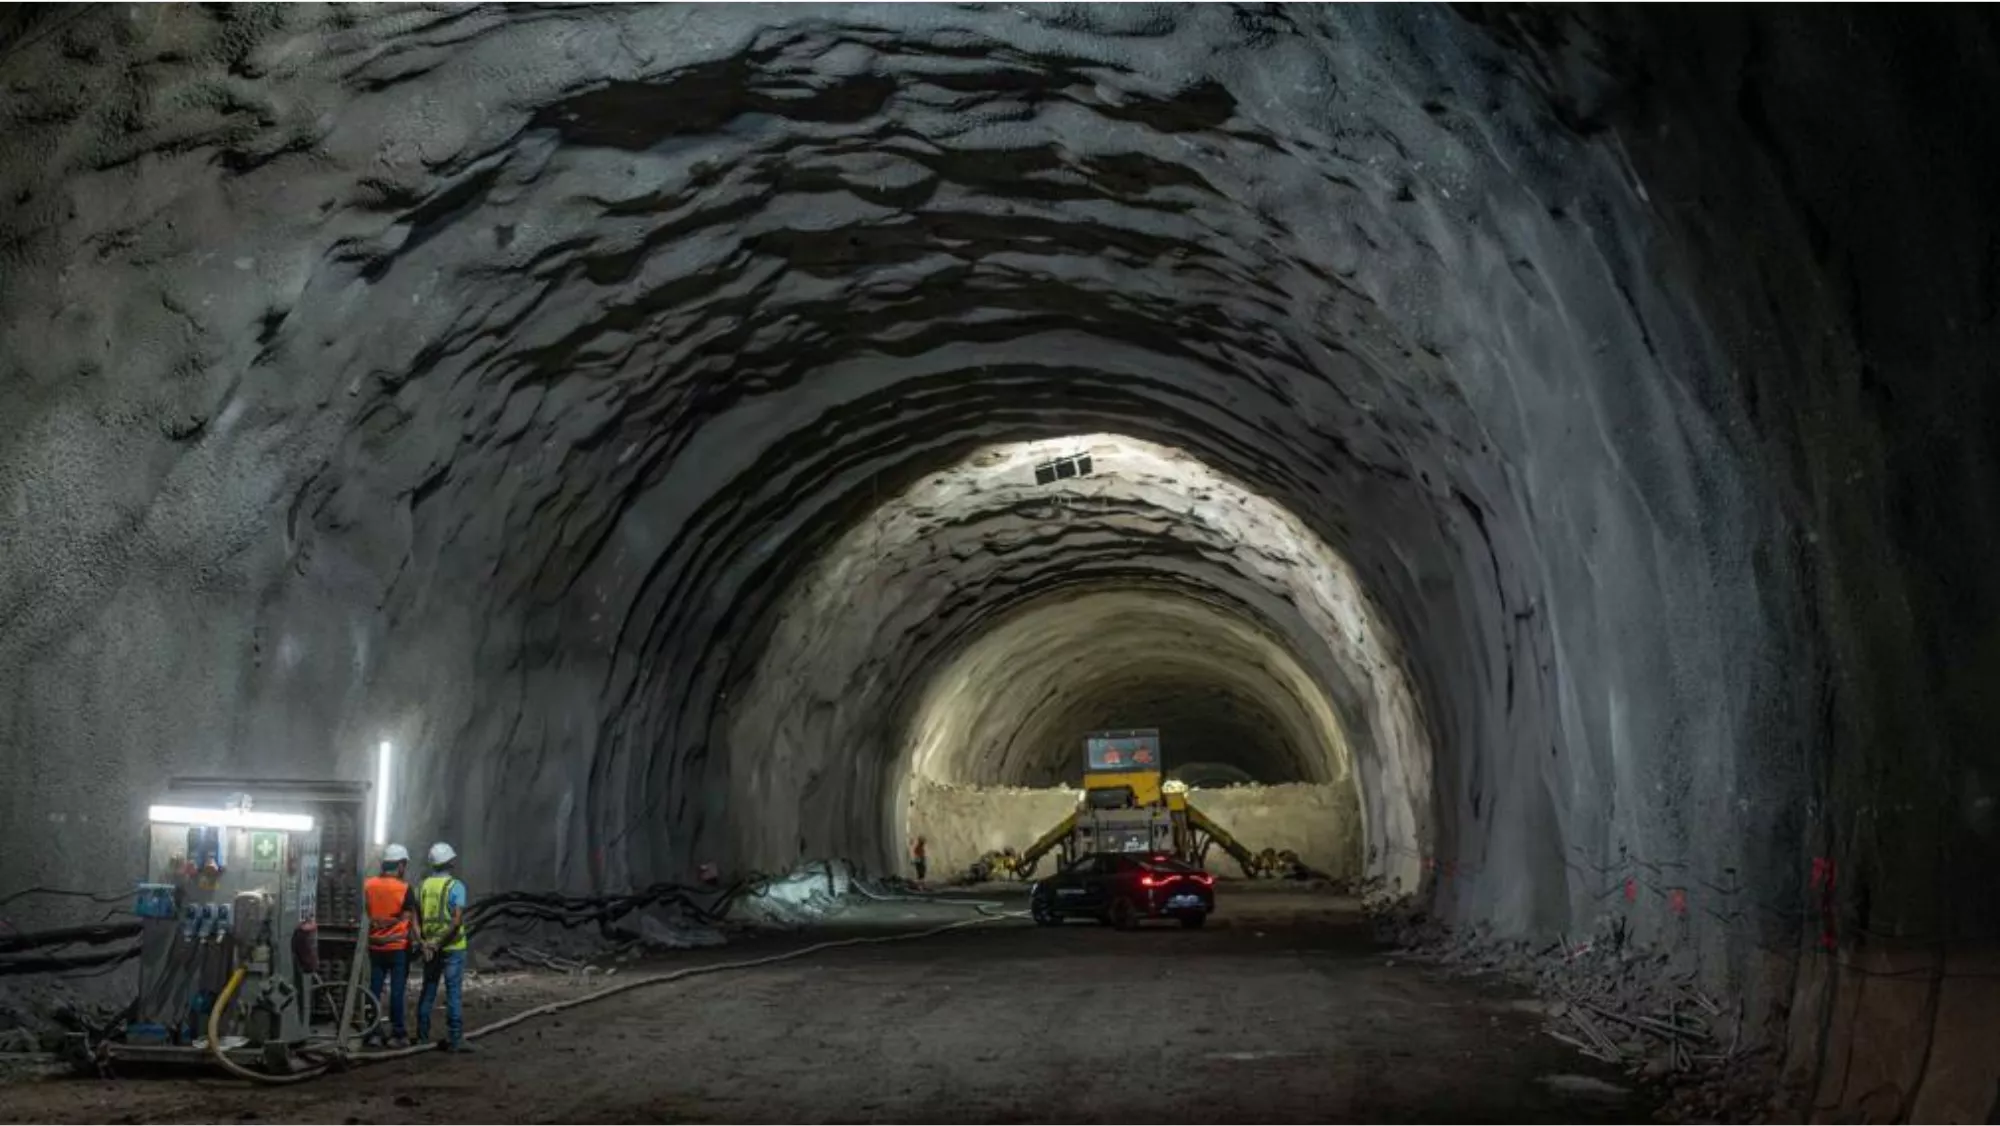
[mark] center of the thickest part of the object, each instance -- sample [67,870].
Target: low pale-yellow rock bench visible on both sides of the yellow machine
[1315,821]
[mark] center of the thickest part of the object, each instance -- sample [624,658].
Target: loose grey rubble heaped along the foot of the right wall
[1617,1003]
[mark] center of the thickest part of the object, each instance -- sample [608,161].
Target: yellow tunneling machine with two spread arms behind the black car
[1129,805]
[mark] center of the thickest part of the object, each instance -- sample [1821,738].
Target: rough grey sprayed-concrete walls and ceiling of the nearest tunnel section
[485,381]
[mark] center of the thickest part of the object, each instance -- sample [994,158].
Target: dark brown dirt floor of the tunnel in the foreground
[1283,1011]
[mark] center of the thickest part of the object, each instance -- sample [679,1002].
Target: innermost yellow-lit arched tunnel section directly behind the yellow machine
[999,745]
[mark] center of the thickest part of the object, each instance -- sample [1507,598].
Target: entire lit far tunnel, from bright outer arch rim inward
[965,637]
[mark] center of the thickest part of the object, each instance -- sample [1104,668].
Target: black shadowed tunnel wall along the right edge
[1827,187]
